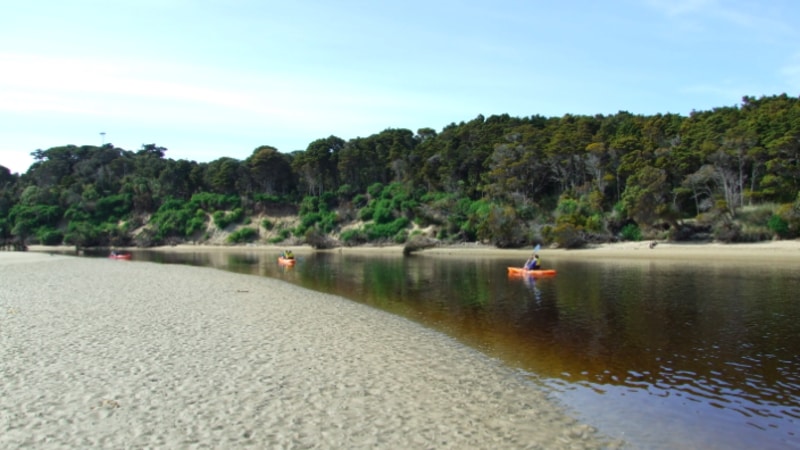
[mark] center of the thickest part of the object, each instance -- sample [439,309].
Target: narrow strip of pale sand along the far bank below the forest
[768,251]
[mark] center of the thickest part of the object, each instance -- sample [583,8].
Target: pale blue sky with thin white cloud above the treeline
[208,79]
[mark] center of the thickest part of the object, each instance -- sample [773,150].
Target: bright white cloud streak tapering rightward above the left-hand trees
[61,85]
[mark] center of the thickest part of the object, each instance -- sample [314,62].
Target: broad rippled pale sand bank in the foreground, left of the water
[117,354]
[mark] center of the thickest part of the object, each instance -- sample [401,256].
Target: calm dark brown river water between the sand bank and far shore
[660,354]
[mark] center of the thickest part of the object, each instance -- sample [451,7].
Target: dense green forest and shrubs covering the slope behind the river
[730,174]
